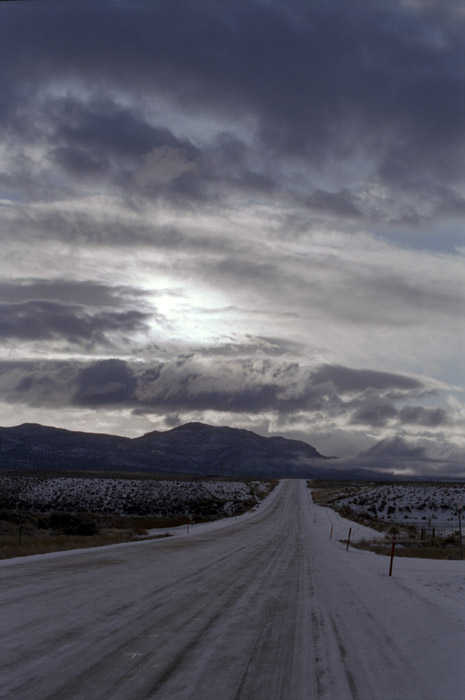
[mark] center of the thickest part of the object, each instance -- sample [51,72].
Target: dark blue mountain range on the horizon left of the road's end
[193,448]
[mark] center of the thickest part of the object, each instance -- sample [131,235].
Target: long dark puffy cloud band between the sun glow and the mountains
[195,382]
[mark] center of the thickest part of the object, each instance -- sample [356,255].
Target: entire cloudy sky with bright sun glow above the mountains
[245,213]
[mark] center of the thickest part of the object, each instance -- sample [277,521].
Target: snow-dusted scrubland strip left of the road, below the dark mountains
[128,496]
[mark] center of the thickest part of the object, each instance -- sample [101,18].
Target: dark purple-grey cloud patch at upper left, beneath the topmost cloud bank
[101,141]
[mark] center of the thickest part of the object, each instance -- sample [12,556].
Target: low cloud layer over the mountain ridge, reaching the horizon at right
[341,415]
